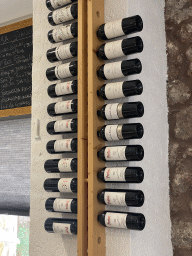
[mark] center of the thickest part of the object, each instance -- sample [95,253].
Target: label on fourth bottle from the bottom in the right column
[115,153]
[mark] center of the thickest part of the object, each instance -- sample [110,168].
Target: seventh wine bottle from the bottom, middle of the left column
[63,107]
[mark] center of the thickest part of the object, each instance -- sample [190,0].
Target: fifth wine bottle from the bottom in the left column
[61,146]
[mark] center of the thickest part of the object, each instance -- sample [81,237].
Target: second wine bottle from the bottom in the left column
[61,205]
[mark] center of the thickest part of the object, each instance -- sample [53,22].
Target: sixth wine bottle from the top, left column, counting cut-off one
[61,89]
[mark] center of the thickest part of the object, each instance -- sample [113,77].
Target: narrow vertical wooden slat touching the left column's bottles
[82,237]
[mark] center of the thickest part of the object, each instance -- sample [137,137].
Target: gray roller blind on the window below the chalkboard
[15,145]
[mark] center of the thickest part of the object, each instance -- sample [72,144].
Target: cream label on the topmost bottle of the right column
[113,29]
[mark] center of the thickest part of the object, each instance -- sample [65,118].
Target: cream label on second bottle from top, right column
[114,50]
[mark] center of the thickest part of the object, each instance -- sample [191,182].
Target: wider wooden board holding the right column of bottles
[96,232]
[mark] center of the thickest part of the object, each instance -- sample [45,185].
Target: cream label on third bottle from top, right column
[113,70]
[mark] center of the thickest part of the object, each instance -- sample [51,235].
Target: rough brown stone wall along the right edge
[178,16]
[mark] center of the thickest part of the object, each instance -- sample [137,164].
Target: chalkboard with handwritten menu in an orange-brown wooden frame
[16,68]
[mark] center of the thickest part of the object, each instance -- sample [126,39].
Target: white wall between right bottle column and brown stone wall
[155,239]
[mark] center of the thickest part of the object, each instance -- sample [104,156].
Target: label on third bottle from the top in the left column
[62,33]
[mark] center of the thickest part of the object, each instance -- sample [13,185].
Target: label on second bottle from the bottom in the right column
[115,198]
